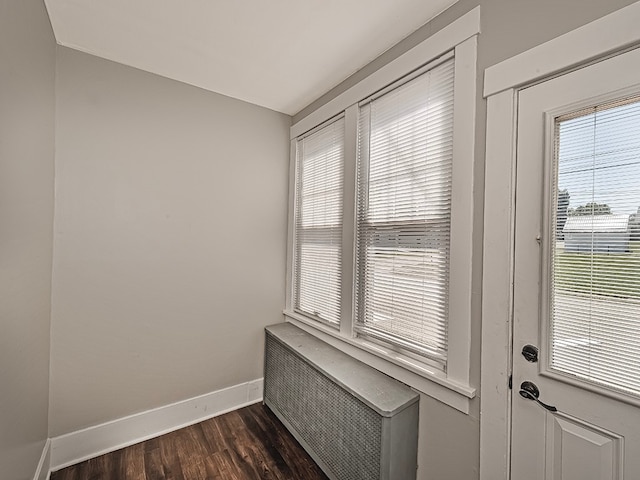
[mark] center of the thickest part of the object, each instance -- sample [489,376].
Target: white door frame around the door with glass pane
[604,37]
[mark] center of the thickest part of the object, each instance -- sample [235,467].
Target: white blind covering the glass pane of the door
[595,288]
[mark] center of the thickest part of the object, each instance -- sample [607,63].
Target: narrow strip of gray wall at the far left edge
[27,74]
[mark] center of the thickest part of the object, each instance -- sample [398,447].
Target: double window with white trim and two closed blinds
[381,224]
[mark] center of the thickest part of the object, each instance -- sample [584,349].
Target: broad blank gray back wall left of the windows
[170,240]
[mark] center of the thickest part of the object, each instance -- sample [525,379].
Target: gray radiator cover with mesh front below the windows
[355,422]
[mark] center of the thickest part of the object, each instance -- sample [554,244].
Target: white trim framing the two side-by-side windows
[452,388]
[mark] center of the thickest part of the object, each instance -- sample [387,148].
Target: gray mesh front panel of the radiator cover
[314,405]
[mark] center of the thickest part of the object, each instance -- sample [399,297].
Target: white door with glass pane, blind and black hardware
[577,276]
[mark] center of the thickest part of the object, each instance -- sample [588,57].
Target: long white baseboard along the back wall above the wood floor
[91,442]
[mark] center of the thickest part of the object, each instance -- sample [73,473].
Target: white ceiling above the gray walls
[280,54]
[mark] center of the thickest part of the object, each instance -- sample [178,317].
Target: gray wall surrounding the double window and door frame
[449,441]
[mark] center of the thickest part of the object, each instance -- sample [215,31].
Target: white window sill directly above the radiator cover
[404,369]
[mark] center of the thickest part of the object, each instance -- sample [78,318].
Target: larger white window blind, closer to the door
[404,214]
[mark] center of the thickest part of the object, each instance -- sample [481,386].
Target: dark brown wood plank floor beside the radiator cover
[249,443]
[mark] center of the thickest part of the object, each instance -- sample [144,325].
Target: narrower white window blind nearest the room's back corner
[318,223]
